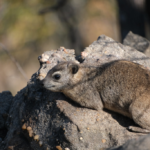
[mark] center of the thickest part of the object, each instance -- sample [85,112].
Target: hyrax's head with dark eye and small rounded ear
[60,77]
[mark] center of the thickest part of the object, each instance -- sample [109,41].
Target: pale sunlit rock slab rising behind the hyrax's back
[106,49]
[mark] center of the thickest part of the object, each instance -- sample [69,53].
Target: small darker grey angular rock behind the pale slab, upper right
[137,42]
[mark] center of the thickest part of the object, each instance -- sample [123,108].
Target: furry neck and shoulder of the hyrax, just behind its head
[82,89]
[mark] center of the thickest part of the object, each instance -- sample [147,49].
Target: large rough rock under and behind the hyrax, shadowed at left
[43,120]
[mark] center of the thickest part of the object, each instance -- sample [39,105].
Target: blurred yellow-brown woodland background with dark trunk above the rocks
[30,27]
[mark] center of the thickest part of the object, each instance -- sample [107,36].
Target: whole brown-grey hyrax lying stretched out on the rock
[120,86]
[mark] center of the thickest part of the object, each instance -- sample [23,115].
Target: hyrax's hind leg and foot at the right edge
[140,111]
